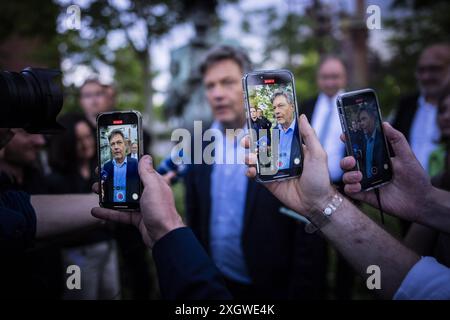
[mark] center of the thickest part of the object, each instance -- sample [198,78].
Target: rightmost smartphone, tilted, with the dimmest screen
[361,122]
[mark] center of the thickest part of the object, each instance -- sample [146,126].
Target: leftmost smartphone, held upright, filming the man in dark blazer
[119,144]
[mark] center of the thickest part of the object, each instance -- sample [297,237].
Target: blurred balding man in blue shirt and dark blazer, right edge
[416,114]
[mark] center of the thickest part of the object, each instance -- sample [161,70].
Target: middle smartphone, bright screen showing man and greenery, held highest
[272,119]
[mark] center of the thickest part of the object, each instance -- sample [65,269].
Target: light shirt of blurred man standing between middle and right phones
[332,143]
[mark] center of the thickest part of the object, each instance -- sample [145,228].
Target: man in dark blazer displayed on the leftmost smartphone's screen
[120,175]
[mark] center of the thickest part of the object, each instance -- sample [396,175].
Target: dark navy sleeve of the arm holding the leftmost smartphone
[185,271]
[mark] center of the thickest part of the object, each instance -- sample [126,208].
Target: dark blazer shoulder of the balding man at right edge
[405,114]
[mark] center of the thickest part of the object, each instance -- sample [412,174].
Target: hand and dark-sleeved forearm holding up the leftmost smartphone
[184,269]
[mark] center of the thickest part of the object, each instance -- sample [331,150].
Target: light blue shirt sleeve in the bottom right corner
[427,279]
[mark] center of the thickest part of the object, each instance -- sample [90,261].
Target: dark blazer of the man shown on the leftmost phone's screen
[132,179]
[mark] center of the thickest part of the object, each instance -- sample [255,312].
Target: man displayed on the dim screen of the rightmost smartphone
[372,151]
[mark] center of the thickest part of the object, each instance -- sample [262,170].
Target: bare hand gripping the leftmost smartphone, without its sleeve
[158,215]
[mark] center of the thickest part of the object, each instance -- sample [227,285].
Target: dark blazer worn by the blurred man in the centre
[283,260]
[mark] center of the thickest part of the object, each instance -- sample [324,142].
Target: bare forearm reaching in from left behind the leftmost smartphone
[58,214]
